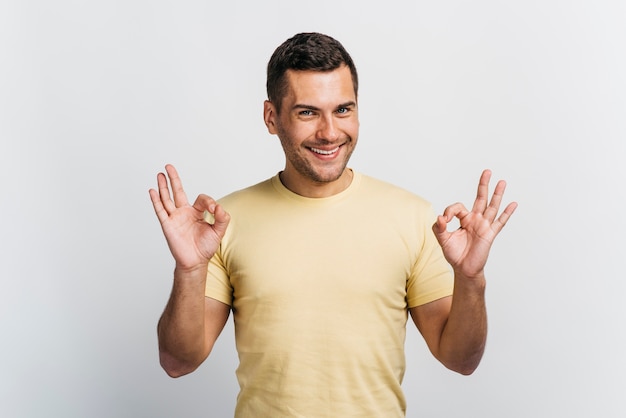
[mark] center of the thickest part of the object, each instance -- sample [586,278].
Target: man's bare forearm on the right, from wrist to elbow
[464,336]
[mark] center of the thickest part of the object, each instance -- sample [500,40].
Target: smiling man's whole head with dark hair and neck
[312,108]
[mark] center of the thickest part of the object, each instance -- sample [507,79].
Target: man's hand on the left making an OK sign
[191,239]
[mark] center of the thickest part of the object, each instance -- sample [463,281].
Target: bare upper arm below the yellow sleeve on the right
[431,319]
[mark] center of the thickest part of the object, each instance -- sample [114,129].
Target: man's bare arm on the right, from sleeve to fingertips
[455,328]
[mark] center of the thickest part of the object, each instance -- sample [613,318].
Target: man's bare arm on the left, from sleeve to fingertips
[191,322]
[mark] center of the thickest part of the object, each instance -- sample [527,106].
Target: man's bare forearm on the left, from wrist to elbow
[182,344]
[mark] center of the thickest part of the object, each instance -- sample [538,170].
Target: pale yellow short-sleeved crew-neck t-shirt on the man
[319,290]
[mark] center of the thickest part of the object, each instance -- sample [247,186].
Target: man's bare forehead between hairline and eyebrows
[320,87]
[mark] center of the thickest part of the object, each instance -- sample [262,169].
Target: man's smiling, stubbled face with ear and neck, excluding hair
[318,127]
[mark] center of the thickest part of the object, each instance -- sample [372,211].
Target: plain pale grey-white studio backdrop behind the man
[96,97]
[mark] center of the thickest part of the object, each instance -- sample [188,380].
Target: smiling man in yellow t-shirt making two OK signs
[322,265]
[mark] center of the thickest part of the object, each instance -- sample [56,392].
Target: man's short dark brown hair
[305,51]
